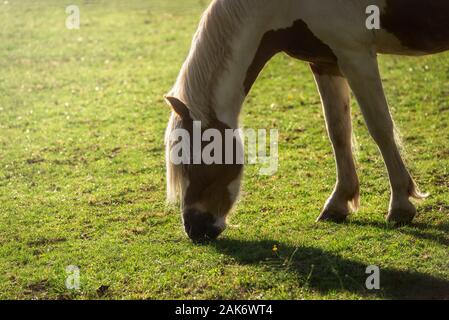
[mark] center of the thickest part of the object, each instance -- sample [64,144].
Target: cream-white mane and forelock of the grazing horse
[210,49]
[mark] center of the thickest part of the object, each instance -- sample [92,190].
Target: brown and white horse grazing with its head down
[236,38]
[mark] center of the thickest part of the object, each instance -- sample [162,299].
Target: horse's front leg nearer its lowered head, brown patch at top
[335,97]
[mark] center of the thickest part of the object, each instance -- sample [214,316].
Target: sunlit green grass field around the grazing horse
[82,171]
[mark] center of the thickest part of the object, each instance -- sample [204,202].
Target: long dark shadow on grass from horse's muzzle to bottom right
[327,272]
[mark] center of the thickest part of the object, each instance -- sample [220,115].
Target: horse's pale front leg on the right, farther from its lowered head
[362,71]
